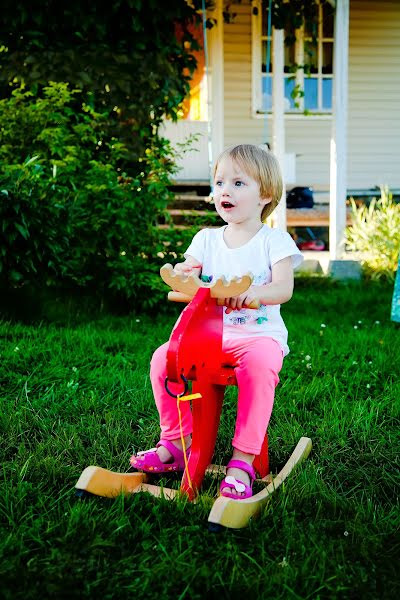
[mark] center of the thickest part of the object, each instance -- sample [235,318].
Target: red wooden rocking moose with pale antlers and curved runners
[195,355]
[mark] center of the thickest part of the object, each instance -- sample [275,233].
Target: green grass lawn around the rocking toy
[78,393]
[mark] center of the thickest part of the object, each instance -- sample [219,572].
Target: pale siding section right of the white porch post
[374,92]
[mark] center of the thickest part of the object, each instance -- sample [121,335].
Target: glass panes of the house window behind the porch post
[308,71]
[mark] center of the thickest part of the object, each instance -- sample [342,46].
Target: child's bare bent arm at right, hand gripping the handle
[280,289]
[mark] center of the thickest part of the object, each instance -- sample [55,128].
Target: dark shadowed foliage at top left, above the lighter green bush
[126,56]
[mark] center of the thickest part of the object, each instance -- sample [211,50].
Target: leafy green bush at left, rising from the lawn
[69,216]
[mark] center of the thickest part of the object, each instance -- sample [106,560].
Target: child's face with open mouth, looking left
[236,194]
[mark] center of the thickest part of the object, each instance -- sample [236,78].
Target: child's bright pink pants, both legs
[257,362]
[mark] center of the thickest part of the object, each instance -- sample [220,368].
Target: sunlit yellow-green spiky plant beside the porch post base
[374,234]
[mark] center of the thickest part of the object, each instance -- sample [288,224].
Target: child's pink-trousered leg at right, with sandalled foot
[258,362]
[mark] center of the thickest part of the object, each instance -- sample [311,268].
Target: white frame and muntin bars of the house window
[300,76]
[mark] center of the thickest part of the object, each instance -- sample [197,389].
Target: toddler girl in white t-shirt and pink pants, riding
[247,188]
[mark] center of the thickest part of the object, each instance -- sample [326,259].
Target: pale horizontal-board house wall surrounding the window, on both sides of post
[374,92]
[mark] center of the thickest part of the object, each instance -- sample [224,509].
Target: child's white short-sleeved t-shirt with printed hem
[257,257]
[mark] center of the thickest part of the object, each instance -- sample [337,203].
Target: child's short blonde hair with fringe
[262,165]
